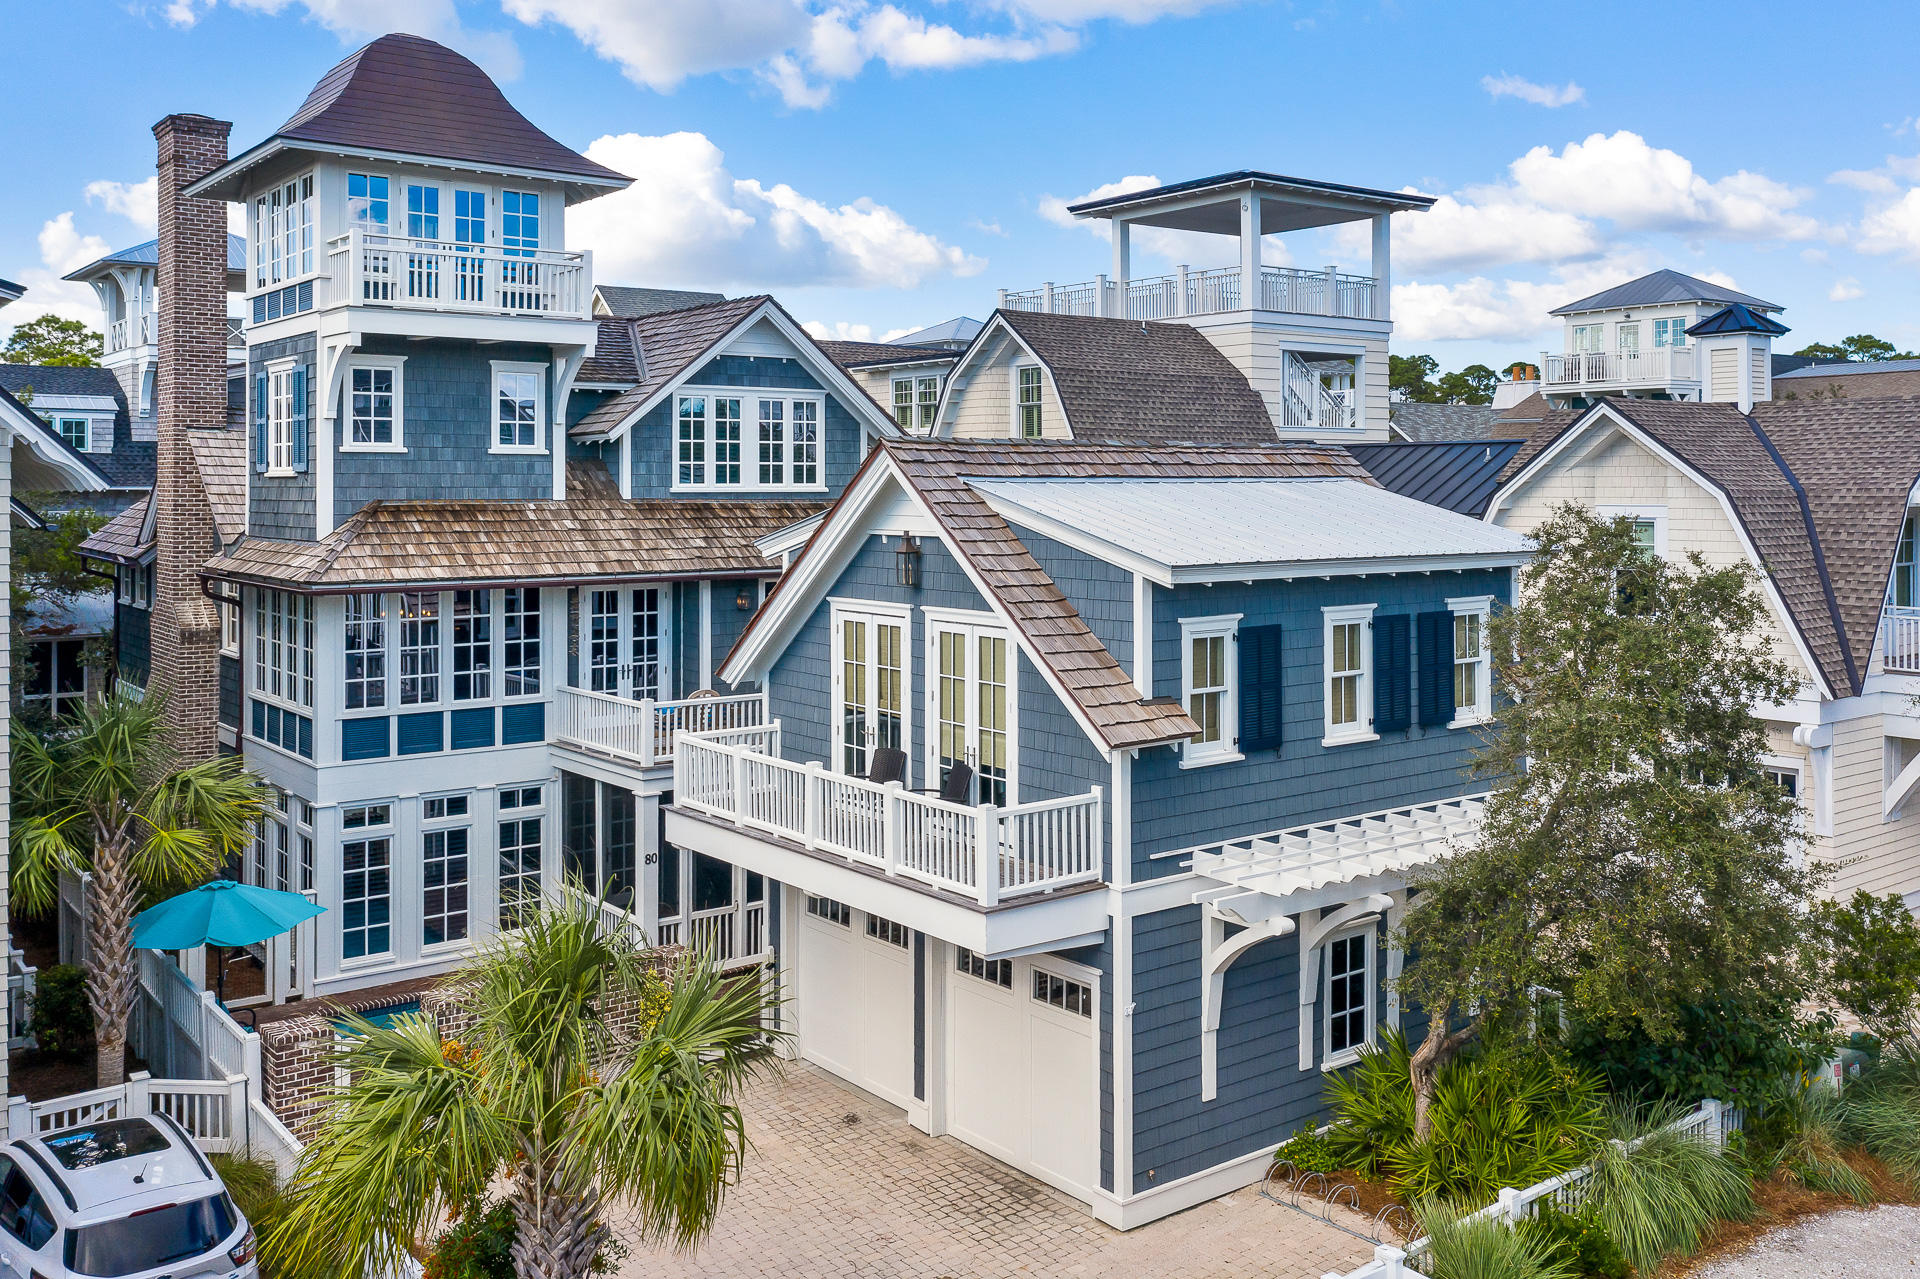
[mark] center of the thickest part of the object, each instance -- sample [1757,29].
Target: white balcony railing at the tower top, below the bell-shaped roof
[481,279]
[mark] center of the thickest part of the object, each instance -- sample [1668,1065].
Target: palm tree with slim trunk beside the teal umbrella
[103,794]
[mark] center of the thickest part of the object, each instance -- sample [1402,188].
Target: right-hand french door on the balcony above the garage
[971,706]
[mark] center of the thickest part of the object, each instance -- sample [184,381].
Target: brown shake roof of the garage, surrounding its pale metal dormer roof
[938,473]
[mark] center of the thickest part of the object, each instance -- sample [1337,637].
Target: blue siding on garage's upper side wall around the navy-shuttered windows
[1303,783]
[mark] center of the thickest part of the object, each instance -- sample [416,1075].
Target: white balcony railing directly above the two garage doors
[984,852]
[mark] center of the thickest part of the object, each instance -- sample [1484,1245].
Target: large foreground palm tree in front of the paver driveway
[552,1094]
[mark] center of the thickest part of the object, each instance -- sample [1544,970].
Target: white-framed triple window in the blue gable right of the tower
[786,435]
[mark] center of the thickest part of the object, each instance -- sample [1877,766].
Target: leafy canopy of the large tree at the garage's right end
[1635,857]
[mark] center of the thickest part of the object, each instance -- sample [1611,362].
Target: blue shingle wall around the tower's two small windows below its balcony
[446,402]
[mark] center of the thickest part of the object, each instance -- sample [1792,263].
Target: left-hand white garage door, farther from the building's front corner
[855,1007]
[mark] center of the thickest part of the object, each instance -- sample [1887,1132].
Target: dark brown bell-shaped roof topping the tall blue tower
[416,97]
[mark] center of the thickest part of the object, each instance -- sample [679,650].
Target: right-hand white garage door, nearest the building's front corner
[1022,1076]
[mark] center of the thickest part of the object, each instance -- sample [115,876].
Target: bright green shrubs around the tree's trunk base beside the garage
[1500,1117]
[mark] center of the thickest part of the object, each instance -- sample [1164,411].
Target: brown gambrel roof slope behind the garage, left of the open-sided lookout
[1143,383]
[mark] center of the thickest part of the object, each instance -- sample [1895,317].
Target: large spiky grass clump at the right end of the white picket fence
[1658,1192]
